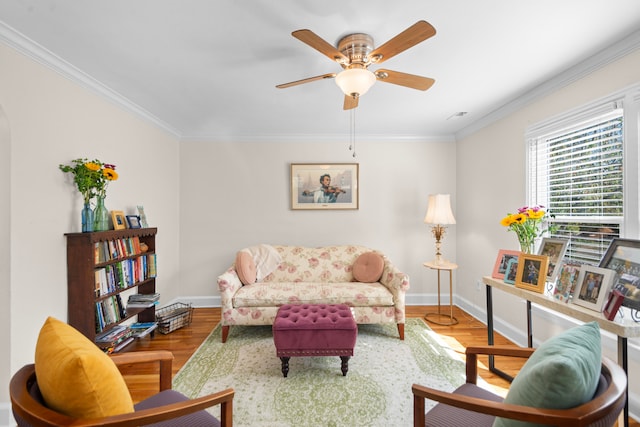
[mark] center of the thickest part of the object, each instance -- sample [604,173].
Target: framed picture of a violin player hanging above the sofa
[318,186]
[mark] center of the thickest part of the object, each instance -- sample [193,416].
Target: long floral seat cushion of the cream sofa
[354,294]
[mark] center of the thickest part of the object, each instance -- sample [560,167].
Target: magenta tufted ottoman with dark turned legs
[314,330]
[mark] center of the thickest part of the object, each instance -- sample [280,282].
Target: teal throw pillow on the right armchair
[562,373]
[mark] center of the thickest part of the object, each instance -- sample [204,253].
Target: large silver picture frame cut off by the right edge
[623,257]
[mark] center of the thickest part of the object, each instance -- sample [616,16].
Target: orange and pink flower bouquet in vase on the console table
[528,224]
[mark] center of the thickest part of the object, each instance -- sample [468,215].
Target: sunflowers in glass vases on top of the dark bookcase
[91,179]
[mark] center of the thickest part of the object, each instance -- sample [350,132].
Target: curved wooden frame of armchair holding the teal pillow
[608,404]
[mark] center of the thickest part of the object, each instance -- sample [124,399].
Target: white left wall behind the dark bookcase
[52,120]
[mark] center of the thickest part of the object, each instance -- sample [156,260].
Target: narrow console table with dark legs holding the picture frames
[623,329]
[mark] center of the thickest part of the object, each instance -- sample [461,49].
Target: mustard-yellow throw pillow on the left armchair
[75,377]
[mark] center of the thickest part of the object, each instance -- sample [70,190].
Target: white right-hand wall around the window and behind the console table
[491,183]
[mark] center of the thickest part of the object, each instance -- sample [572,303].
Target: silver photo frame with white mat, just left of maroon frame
[593,287]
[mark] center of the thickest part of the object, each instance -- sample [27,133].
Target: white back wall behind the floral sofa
[238,194]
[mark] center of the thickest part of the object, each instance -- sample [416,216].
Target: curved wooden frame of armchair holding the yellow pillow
[25,406]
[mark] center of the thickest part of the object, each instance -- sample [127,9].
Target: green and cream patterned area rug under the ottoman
[375,392]
